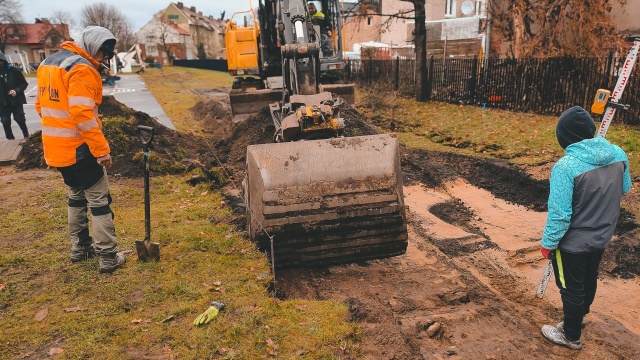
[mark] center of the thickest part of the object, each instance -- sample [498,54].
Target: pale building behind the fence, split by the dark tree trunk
[455,28]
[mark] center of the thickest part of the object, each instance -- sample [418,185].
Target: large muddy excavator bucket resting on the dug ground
[326,202]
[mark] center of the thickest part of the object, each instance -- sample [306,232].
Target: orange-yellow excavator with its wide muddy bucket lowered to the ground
[314,197]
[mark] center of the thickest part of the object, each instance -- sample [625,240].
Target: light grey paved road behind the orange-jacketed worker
[129,90]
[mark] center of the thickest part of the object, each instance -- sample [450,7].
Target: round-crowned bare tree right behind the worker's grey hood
[108,16]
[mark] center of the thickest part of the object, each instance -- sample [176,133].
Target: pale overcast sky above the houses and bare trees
[138,11]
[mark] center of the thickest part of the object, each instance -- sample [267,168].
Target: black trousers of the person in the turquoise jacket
[577,278]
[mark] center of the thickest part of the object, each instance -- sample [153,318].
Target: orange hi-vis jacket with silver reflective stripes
[69,93]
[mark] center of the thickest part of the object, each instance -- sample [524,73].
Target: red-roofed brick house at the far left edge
[33,41]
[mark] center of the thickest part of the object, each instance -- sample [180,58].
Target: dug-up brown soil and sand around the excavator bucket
[465,289]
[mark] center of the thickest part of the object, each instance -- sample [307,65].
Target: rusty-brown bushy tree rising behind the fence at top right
[548,28]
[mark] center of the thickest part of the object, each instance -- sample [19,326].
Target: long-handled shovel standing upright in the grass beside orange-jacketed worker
[146,249]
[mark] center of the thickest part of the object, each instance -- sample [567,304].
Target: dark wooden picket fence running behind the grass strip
[544,86]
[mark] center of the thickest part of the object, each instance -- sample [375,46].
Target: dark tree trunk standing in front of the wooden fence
[420,41]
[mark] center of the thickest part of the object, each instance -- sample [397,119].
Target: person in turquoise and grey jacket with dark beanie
[586,186]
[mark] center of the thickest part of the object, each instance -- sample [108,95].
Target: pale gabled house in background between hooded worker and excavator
[193,35]
